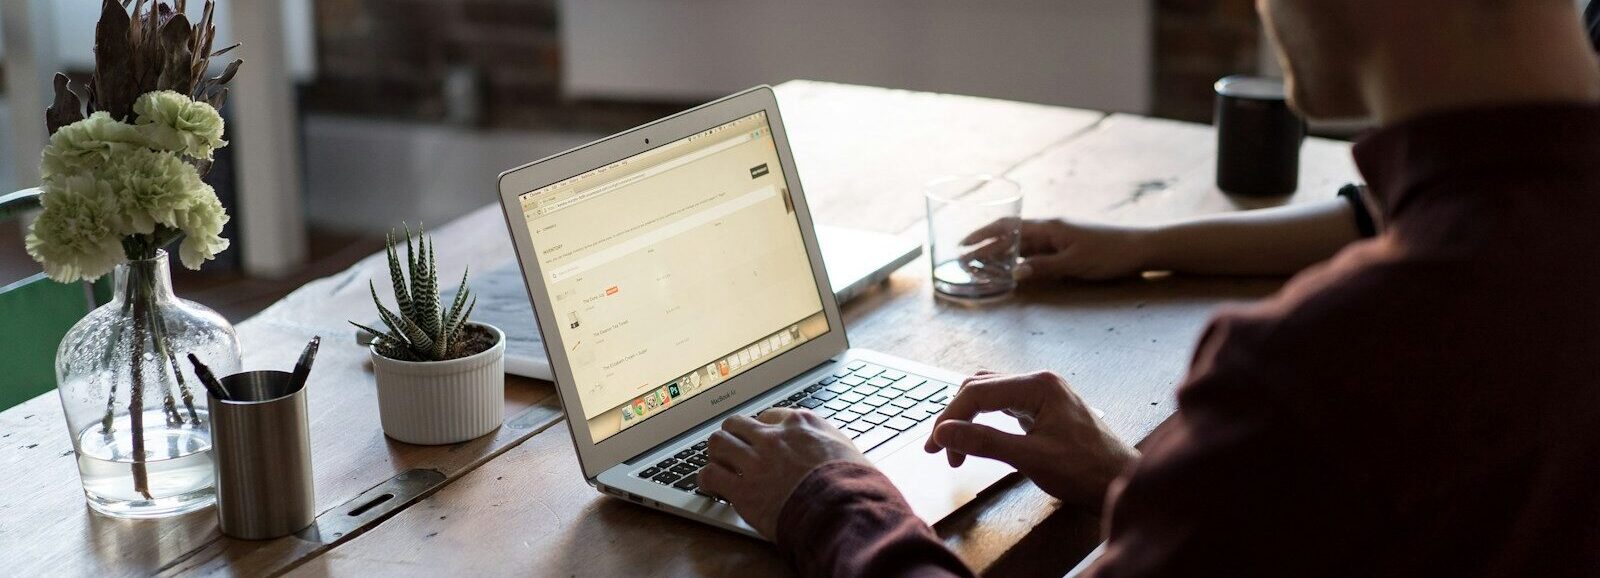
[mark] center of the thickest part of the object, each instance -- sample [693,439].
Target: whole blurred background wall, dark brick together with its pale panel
[532,57]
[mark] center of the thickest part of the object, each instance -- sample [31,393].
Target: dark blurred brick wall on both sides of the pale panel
[394,57]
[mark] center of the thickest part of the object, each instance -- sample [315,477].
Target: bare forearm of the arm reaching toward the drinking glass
[1262,243]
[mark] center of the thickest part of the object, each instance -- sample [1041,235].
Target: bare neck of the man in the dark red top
[1540,58]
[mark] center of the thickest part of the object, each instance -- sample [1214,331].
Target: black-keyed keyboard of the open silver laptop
[868,403]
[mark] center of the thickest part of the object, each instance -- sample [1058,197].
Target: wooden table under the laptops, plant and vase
[514,504]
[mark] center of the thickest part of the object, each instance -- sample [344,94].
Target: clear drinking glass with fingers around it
[974,236]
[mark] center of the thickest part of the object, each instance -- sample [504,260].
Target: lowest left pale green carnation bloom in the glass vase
[78,236]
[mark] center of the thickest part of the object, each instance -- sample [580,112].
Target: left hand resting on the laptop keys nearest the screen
[758,464]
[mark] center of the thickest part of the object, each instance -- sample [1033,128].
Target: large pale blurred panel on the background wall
[1089,54]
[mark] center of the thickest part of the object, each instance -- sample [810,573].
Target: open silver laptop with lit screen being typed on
[676,278]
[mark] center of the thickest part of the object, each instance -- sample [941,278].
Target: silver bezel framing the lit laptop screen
[598,457]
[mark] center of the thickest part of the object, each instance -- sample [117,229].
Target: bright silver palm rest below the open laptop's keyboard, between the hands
[934,488]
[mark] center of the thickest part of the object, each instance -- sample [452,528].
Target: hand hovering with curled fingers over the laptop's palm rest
[1066,451]
